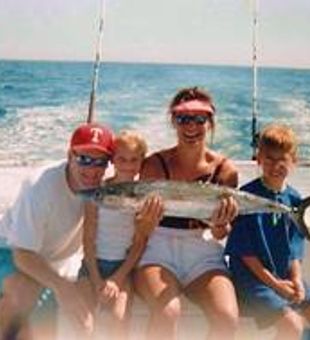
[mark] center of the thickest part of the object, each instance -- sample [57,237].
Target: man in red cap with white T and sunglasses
[44,231]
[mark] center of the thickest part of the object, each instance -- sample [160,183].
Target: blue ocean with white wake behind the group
[41,102]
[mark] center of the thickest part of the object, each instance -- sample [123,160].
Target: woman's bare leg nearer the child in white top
[160,289]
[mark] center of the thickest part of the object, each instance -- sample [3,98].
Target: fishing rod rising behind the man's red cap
[92,99]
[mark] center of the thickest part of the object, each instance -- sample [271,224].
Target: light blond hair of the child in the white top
[133,140]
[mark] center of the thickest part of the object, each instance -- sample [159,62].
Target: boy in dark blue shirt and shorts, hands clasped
[266,250]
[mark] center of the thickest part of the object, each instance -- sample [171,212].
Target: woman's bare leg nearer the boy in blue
[215,294]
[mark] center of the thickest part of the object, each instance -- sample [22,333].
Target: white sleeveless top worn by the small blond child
[114,233]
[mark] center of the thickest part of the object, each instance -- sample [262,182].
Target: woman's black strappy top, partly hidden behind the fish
[183,222]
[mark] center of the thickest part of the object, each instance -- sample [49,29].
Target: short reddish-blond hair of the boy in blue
[280,137]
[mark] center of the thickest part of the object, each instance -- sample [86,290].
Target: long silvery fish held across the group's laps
[192,199]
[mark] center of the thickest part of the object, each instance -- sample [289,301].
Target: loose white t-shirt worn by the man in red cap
[47,218]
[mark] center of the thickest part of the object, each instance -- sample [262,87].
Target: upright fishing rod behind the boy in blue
[255,132]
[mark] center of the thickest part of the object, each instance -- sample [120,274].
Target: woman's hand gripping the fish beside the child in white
[149,215]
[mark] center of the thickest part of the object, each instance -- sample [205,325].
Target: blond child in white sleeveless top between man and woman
[114,240]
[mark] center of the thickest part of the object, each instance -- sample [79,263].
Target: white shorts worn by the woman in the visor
[184,252]
